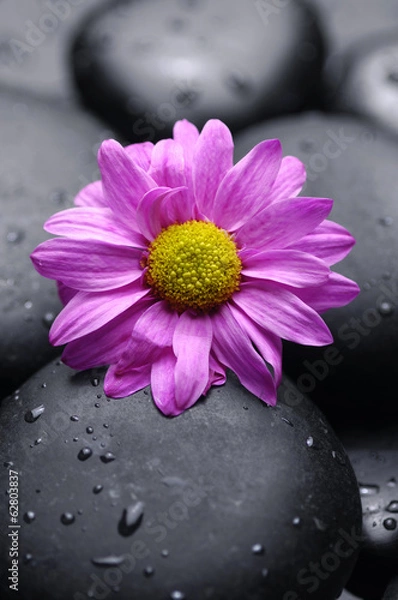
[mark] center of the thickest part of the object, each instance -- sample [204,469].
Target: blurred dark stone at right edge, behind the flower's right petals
[356,166]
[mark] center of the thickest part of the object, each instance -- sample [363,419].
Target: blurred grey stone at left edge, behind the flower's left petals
[46,155]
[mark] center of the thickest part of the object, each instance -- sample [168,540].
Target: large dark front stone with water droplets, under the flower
[232,499]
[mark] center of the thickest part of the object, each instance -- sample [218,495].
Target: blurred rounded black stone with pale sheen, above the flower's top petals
[144,65]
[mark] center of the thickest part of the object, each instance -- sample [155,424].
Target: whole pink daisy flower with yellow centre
[178,265]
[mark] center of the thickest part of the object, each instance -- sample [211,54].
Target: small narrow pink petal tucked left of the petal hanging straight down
[162,383]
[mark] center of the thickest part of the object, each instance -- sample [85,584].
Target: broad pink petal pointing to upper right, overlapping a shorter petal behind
[243,191]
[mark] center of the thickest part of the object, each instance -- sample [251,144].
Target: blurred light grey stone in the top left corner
[34,39]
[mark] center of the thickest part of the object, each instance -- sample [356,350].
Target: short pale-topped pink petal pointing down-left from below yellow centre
[152,333]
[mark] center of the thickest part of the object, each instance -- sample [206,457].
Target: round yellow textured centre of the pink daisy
[193,265]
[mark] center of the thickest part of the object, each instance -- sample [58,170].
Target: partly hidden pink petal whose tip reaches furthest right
[337,291]
